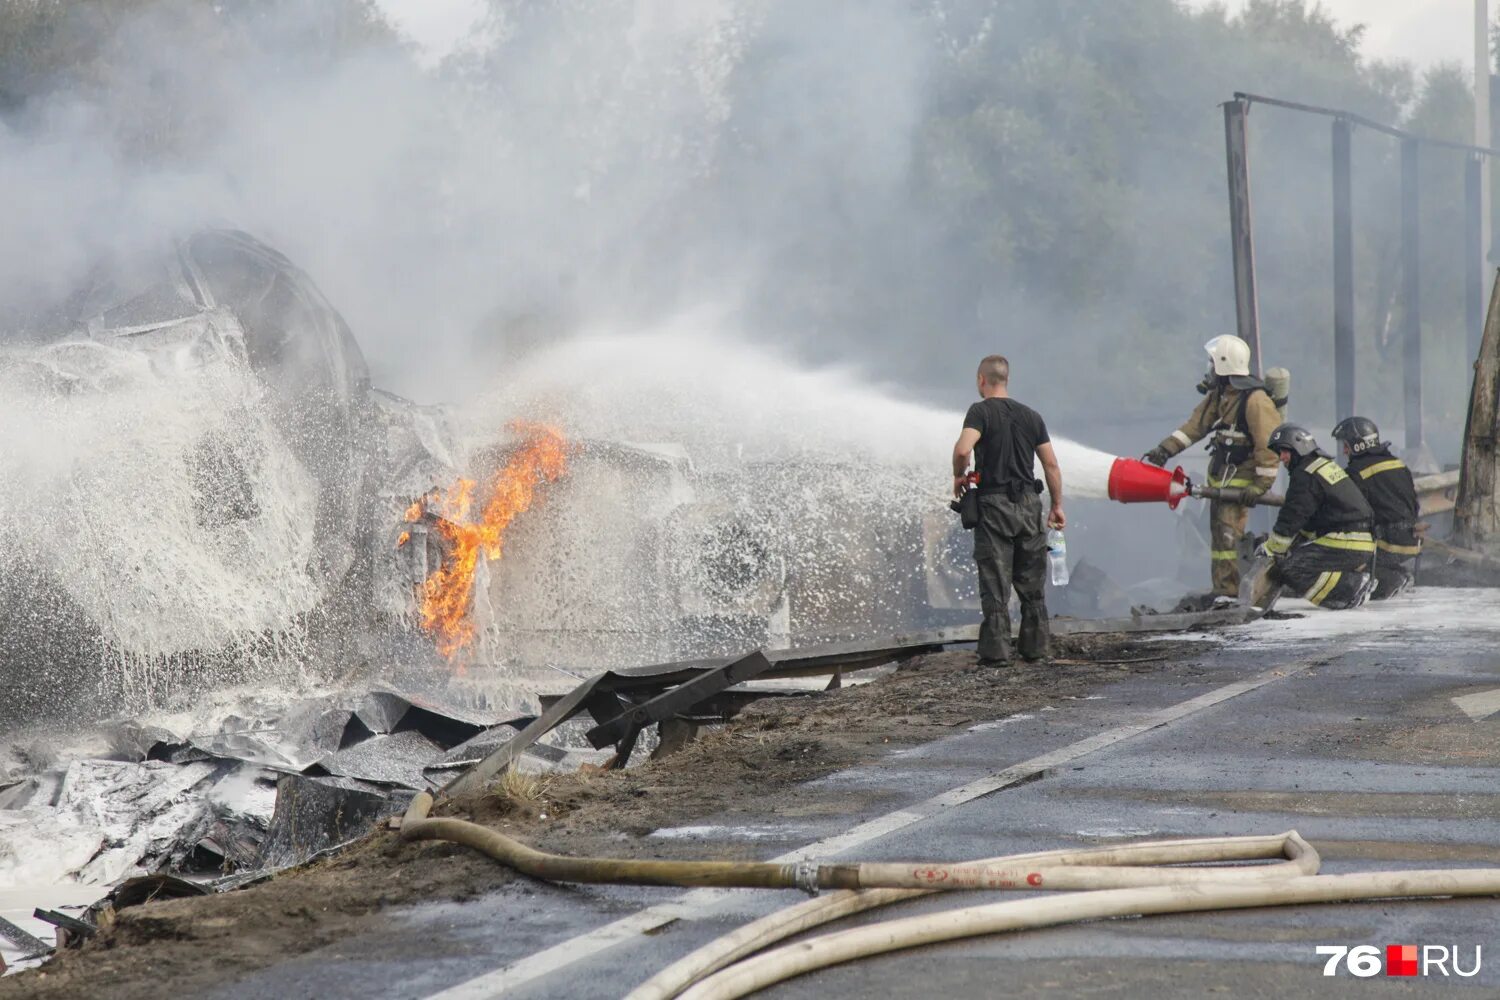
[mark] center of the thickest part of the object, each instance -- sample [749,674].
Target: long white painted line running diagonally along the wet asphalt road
[700,902]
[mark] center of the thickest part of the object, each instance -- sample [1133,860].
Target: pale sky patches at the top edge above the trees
[1421,32]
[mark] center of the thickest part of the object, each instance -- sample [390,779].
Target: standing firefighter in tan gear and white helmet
[1238,415]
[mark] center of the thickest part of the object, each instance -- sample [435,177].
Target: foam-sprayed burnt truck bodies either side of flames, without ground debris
[290,479]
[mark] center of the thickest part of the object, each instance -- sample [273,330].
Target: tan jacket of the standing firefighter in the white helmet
[1238,416]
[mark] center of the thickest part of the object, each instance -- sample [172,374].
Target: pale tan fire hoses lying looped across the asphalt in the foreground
[1115,882]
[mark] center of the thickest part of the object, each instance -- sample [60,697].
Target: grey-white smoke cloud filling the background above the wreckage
[887,185]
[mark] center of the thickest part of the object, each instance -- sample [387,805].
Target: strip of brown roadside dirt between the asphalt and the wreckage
[752,767]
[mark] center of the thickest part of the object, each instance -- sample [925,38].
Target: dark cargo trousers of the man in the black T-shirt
[1010,546]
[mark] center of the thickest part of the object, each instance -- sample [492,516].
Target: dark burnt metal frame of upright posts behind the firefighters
[1237,148]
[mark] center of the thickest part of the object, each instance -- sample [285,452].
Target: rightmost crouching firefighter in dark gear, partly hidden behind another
[1387,484]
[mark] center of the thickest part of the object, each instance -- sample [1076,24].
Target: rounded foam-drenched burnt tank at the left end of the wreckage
[226,304]
